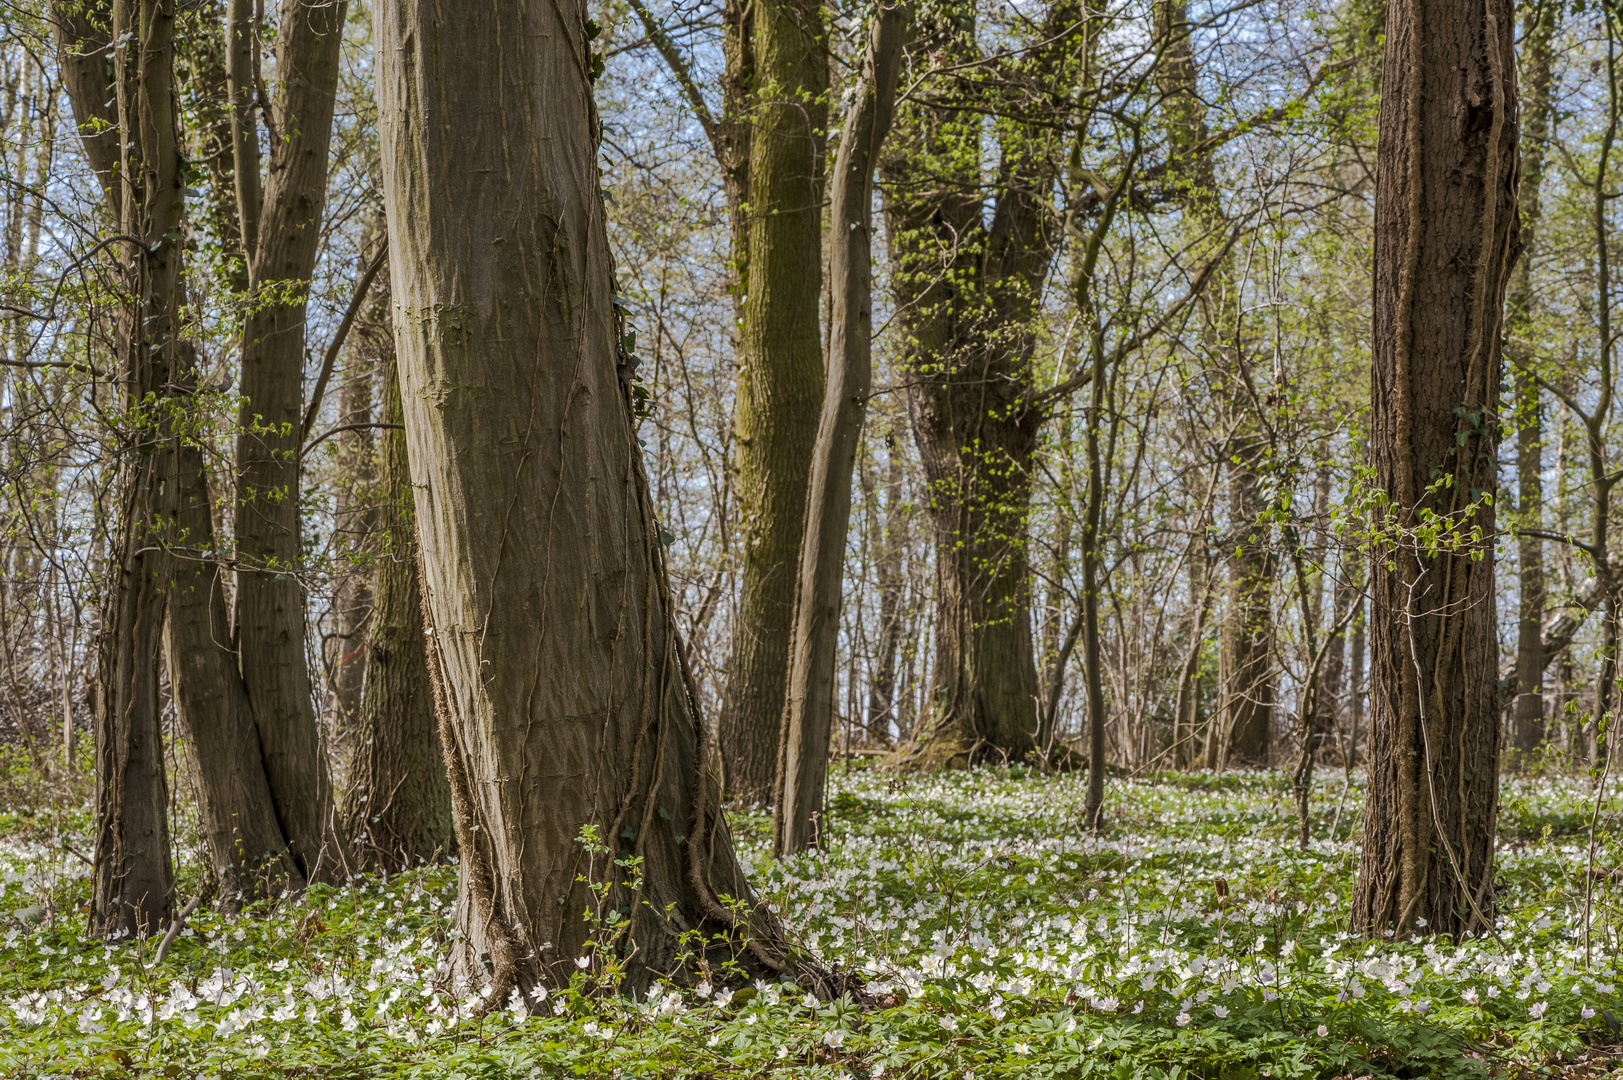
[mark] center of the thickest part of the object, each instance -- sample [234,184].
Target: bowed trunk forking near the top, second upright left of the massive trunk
[270,595]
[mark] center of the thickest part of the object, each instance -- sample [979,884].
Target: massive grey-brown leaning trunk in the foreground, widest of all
[562,691]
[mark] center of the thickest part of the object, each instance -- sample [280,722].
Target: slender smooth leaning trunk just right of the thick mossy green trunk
[809,714]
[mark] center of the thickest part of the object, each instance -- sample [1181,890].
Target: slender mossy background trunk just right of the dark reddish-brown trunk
[1528,715]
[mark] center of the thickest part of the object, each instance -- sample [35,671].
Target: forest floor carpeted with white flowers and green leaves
[1194,940]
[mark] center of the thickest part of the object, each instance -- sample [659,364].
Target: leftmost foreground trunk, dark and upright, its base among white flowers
[134,879]
